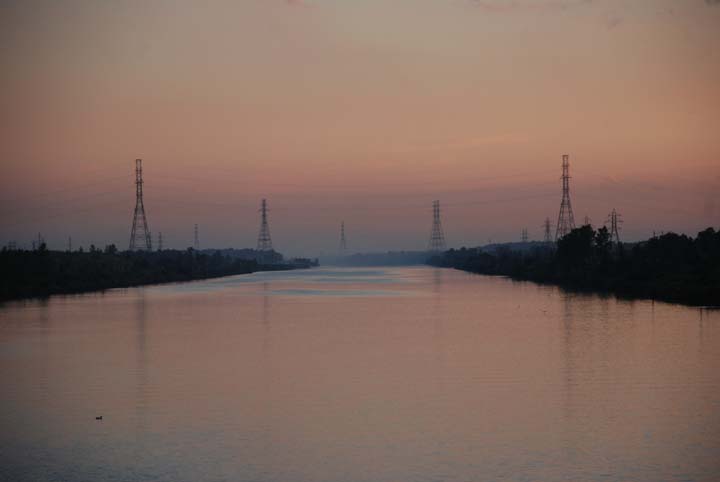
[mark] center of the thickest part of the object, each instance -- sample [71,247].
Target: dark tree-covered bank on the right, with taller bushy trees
[671,267]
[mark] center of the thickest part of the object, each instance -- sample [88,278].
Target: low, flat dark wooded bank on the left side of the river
[40,272]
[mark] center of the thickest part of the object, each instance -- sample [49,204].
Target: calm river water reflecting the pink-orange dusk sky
[398,374]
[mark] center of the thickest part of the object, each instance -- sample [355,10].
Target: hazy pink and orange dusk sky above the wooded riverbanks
[362,111]
